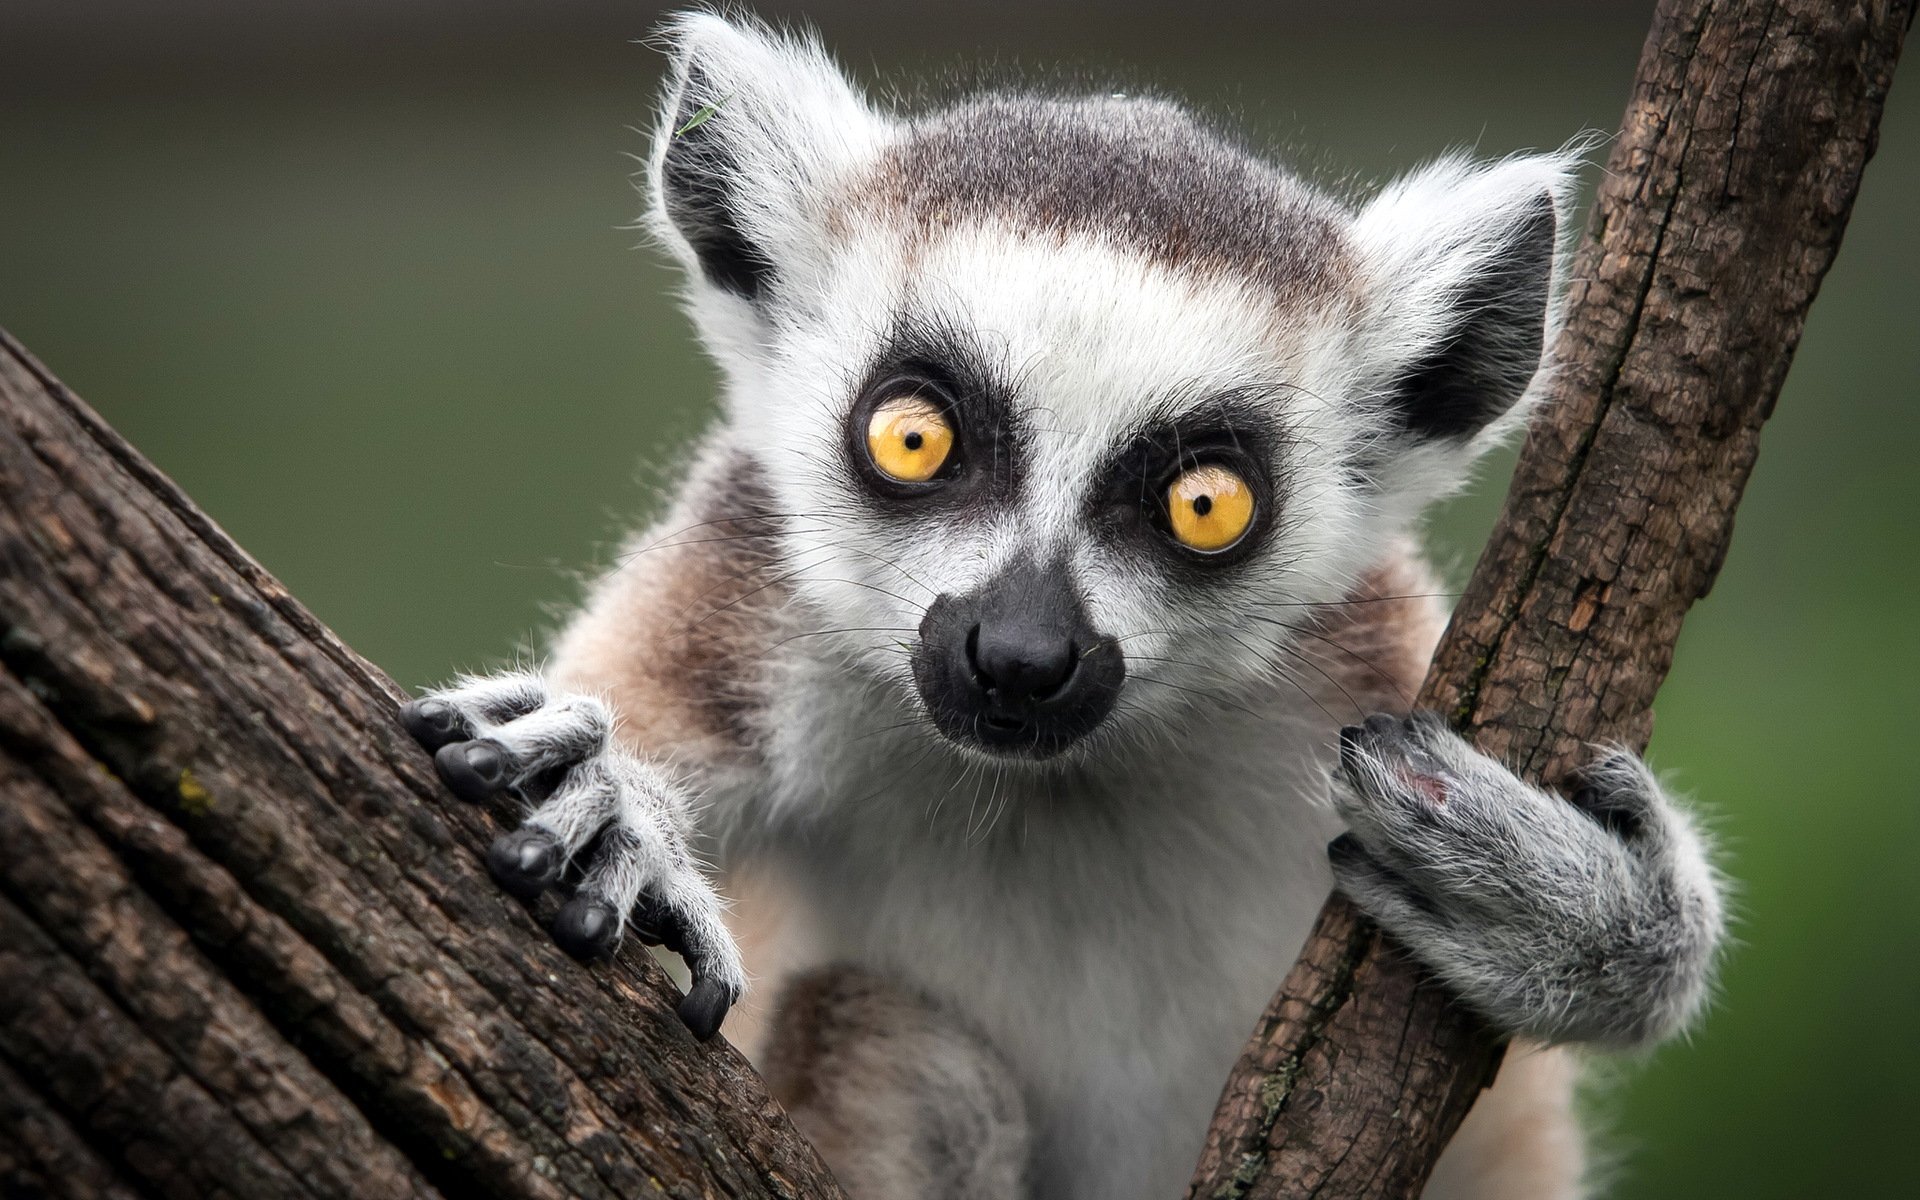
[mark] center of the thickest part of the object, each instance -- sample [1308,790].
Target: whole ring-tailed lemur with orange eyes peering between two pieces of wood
[1030,646]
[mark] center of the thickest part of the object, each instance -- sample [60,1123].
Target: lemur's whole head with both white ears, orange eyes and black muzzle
[1072,410]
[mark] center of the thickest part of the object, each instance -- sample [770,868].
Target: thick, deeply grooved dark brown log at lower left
[247,942]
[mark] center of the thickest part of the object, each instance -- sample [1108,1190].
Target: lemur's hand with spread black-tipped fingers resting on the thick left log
[627,825]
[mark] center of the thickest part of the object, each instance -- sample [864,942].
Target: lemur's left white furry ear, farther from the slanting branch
[754,126]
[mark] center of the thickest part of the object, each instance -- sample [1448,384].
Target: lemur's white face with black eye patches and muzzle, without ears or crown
[1082,473]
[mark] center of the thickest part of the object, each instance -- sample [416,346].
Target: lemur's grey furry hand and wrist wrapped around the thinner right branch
[1589,921]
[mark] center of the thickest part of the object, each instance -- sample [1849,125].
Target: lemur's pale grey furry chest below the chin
[1115,938]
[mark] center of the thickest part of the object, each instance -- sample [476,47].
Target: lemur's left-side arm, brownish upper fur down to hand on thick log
[648,702]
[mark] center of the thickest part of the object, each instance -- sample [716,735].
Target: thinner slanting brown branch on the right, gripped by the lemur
[1719,214]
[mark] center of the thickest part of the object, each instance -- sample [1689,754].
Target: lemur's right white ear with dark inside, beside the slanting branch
[1462,270]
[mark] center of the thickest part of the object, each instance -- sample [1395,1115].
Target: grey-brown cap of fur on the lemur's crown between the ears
[1143,174]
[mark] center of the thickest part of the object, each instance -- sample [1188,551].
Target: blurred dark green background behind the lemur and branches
[356,276]
